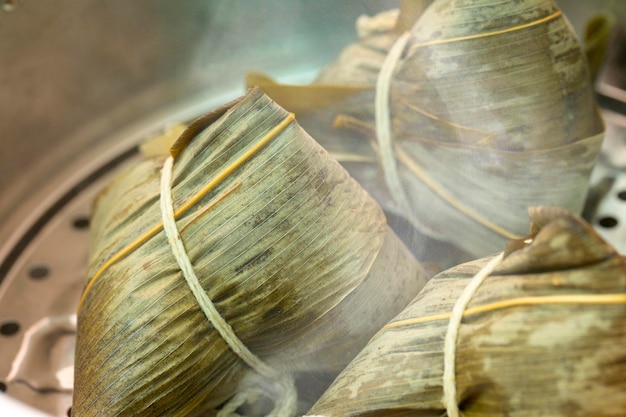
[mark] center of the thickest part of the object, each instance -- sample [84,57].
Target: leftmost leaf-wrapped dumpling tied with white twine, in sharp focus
[282,256]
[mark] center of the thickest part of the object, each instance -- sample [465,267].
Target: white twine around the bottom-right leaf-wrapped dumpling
[449,347]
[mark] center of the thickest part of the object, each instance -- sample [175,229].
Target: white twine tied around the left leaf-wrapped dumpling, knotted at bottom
[285,405]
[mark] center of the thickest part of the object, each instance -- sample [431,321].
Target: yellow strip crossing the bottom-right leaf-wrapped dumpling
[584,299]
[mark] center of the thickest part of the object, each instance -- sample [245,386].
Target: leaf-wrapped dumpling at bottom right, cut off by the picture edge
[536,331]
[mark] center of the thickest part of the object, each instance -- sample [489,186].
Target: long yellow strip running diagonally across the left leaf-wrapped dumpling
[205,190]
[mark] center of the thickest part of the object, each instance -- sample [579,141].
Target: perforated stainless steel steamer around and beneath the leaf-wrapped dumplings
[84,82]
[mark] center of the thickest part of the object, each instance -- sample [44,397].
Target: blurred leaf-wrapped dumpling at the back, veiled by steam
[474,113]
